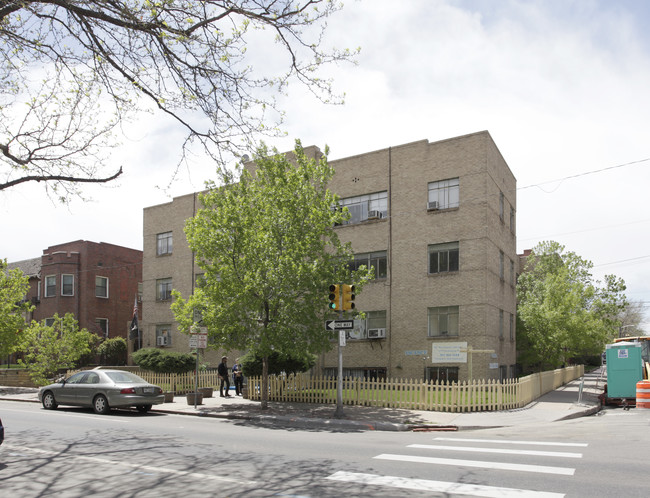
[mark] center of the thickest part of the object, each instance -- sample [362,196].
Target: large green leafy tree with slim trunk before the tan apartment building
[268,251]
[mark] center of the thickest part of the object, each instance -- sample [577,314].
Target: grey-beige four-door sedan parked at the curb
[102,390]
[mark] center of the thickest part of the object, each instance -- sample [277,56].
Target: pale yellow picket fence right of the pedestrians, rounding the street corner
[415,394]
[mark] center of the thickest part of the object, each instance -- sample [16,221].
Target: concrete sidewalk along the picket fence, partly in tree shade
[560,404]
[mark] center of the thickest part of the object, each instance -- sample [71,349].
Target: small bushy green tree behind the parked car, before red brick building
[48,349]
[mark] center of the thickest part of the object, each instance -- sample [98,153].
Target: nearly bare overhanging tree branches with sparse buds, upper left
[73,72]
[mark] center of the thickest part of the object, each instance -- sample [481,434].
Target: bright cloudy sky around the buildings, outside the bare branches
[562,86]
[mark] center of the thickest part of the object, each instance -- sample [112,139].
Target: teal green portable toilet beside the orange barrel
[624,369]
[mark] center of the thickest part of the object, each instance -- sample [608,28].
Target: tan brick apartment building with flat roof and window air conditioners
[436,220]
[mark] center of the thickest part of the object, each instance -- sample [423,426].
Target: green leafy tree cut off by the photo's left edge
[13,289]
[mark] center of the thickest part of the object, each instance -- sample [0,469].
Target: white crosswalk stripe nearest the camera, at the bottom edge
[440,486]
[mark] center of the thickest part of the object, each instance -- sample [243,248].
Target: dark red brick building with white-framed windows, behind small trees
[96,282]
